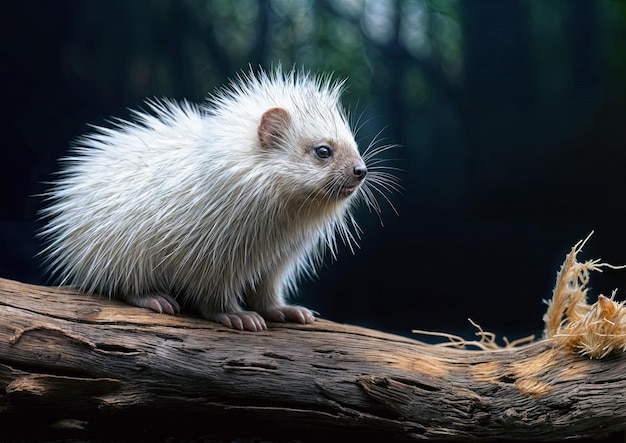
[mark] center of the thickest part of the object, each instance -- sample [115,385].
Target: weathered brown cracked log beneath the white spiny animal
[66,356]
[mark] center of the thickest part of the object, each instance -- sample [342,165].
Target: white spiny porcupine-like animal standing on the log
[213,205]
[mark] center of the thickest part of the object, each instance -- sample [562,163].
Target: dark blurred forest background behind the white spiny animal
[511,115]
